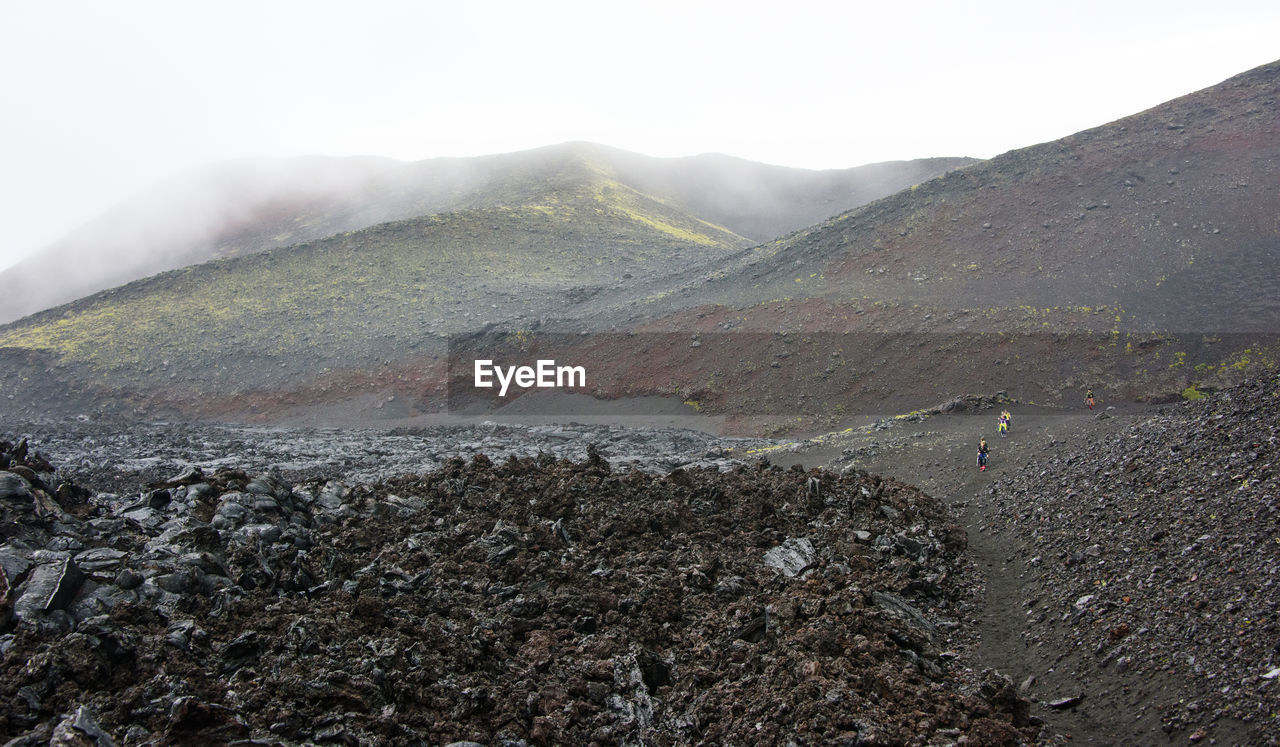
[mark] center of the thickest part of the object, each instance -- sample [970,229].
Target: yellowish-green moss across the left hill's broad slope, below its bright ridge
[388,287]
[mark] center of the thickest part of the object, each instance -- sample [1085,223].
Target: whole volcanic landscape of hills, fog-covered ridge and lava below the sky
[255,499]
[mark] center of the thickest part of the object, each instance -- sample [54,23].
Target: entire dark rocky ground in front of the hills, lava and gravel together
[1109,579]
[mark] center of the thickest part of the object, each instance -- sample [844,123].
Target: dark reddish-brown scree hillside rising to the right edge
[1139,258]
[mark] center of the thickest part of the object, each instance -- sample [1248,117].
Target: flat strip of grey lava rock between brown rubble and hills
[127,460]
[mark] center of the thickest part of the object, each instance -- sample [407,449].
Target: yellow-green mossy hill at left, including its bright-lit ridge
[359,301]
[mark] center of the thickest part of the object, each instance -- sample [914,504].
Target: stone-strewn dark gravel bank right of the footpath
[1151,552]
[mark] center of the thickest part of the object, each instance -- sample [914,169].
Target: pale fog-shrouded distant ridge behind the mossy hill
[241,208]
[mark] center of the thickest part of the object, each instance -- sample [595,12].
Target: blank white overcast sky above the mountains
[104,99]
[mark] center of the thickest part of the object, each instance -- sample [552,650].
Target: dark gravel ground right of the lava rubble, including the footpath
[1126,556]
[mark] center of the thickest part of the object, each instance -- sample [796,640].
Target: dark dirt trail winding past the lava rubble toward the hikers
[939,456]
